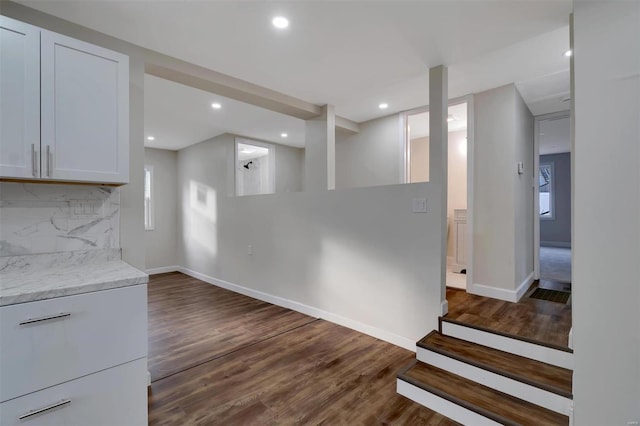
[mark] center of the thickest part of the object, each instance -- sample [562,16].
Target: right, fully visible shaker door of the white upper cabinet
[85,111]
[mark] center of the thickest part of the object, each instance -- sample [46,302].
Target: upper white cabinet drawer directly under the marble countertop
[48,342]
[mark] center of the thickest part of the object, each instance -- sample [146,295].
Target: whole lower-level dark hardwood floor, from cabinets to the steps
[218,357]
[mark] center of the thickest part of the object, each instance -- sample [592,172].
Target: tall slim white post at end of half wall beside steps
[438,154]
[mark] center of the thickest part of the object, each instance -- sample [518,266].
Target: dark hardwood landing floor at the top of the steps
[539,320]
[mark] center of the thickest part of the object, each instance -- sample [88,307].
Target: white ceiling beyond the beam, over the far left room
[179,116]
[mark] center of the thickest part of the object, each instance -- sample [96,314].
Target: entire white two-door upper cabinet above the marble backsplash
[82,133]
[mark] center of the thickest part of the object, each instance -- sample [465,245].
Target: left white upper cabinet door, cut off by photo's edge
[19,99]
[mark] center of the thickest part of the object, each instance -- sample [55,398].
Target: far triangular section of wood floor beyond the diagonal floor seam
[191,322]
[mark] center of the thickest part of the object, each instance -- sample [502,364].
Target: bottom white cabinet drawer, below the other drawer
[116,396]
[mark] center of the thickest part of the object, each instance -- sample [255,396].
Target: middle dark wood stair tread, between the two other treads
[545,376]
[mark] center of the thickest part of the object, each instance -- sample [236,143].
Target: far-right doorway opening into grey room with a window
[553,233]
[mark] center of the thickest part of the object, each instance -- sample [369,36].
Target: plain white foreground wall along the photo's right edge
[606,214]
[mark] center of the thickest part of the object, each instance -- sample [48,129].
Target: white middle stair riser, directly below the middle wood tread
[501,383]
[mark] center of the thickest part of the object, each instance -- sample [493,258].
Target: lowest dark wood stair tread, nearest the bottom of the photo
[488,402]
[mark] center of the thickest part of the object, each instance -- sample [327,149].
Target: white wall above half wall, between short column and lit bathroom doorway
[371,157]
